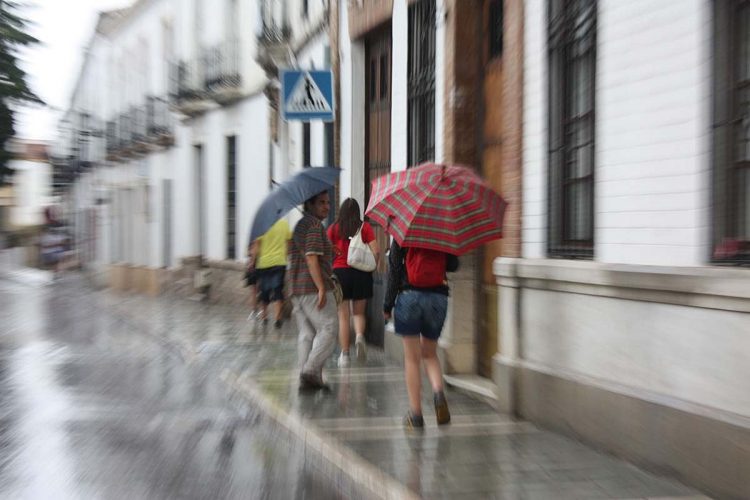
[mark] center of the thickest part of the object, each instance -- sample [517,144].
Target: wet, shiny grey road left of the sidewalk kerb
[90,407]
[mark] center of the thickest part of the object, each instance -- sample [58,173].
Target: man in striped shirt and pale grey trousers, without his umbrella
[311,255]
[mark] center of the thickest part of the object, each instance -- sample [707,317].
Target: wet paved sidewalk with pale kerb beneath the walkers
[356,428]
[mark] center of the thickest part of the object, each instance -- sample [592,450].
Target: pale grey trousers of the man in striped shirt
[318,331]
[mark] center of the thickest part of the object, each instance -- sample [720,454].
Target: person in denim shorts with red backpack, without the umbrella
[417,296]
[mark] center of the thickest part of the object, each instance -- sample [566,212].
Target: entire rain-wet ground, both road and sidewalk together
[109,396]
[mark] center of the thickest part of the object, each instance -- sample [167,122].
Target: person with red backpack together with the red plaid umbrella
[434,213]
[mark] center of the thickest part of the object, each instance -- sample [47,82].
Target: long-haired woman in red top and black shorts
[356,285]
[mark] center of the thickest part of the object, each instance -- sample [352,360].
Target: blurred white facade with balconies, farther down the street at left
[170,133]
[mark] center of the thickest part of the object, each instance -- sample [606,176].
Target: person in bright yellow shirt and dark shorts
[270,263]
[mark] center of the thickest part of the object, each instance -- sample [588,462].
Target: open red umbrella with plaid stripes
[447,208]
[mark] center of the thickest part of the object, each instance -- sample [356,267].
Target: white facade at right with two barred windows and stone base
[626,319]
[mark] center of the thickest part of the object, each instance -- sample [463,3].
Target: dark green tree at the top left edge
[14,88]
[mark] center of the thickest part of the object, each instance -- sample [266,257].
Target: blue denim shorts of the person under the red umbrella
[417,312]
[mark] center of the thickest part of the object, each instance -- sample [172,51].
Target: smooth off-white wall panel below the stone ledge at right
[659,352]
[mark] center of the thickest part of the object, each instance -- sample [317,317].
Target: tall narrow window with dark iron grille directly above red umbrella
[421,142]
